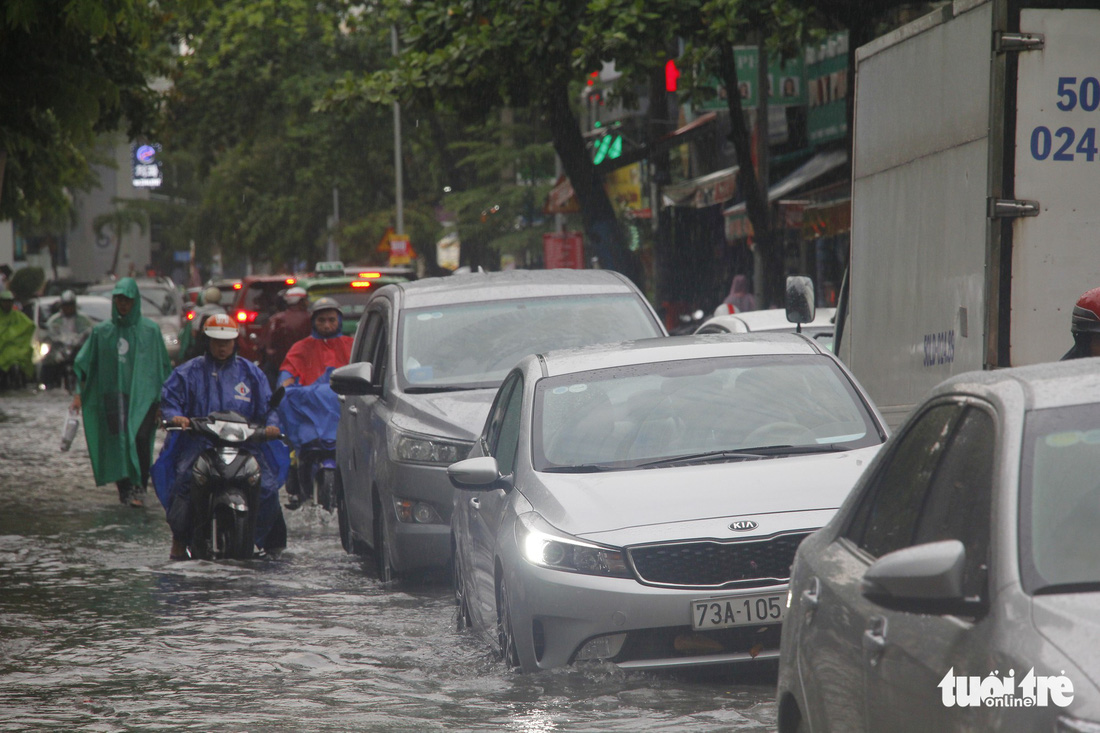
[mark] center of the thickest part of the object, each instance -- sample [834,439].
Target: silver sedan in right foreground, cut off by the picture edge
[959,588]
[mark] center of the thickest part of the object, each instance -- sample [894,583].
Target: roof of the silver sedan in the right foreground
[1054,385]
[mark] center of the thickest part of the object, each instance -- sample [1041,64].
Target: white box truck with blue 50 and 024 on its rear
[976,194]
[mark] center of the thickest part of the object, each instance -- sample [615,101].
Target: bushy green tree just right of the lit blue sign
[244,108]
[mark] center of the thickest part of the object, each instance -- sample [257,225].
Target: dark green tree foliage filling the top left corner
[70,70]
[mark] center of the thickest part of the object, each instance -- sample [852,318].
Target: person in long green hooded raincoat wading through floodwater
[120,371]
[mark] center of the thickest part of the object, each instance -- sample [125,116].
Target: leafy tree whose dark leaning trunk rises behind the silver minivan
[504,53]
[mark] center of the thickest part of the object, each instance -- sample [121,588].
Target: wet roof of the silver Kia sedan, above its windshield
[567,362]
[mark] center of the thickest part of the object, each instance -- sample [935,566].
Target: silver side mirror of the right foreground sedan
[921,579]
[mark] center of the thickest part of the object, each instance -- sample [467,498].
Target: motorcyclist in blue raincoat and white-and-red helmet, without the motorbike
[219,380]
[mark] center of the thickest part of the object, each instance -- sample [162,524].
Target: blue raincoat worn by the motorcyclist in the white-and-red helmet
[196,389]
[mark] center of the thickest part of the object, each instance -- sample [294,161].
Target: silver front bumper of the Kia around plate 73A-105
[556,614]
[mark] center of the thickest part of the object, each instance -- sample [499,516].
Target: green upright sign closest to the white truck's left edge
[828,89]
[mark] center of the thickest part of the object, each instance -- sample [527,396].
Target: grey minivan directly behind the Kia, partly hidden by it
[427,362]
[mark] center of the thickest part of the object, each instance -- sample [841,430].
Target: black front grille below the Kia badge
[713,564]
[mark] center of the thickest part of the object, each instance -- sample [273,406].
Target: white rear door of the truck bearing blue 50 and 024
[1058,165]
